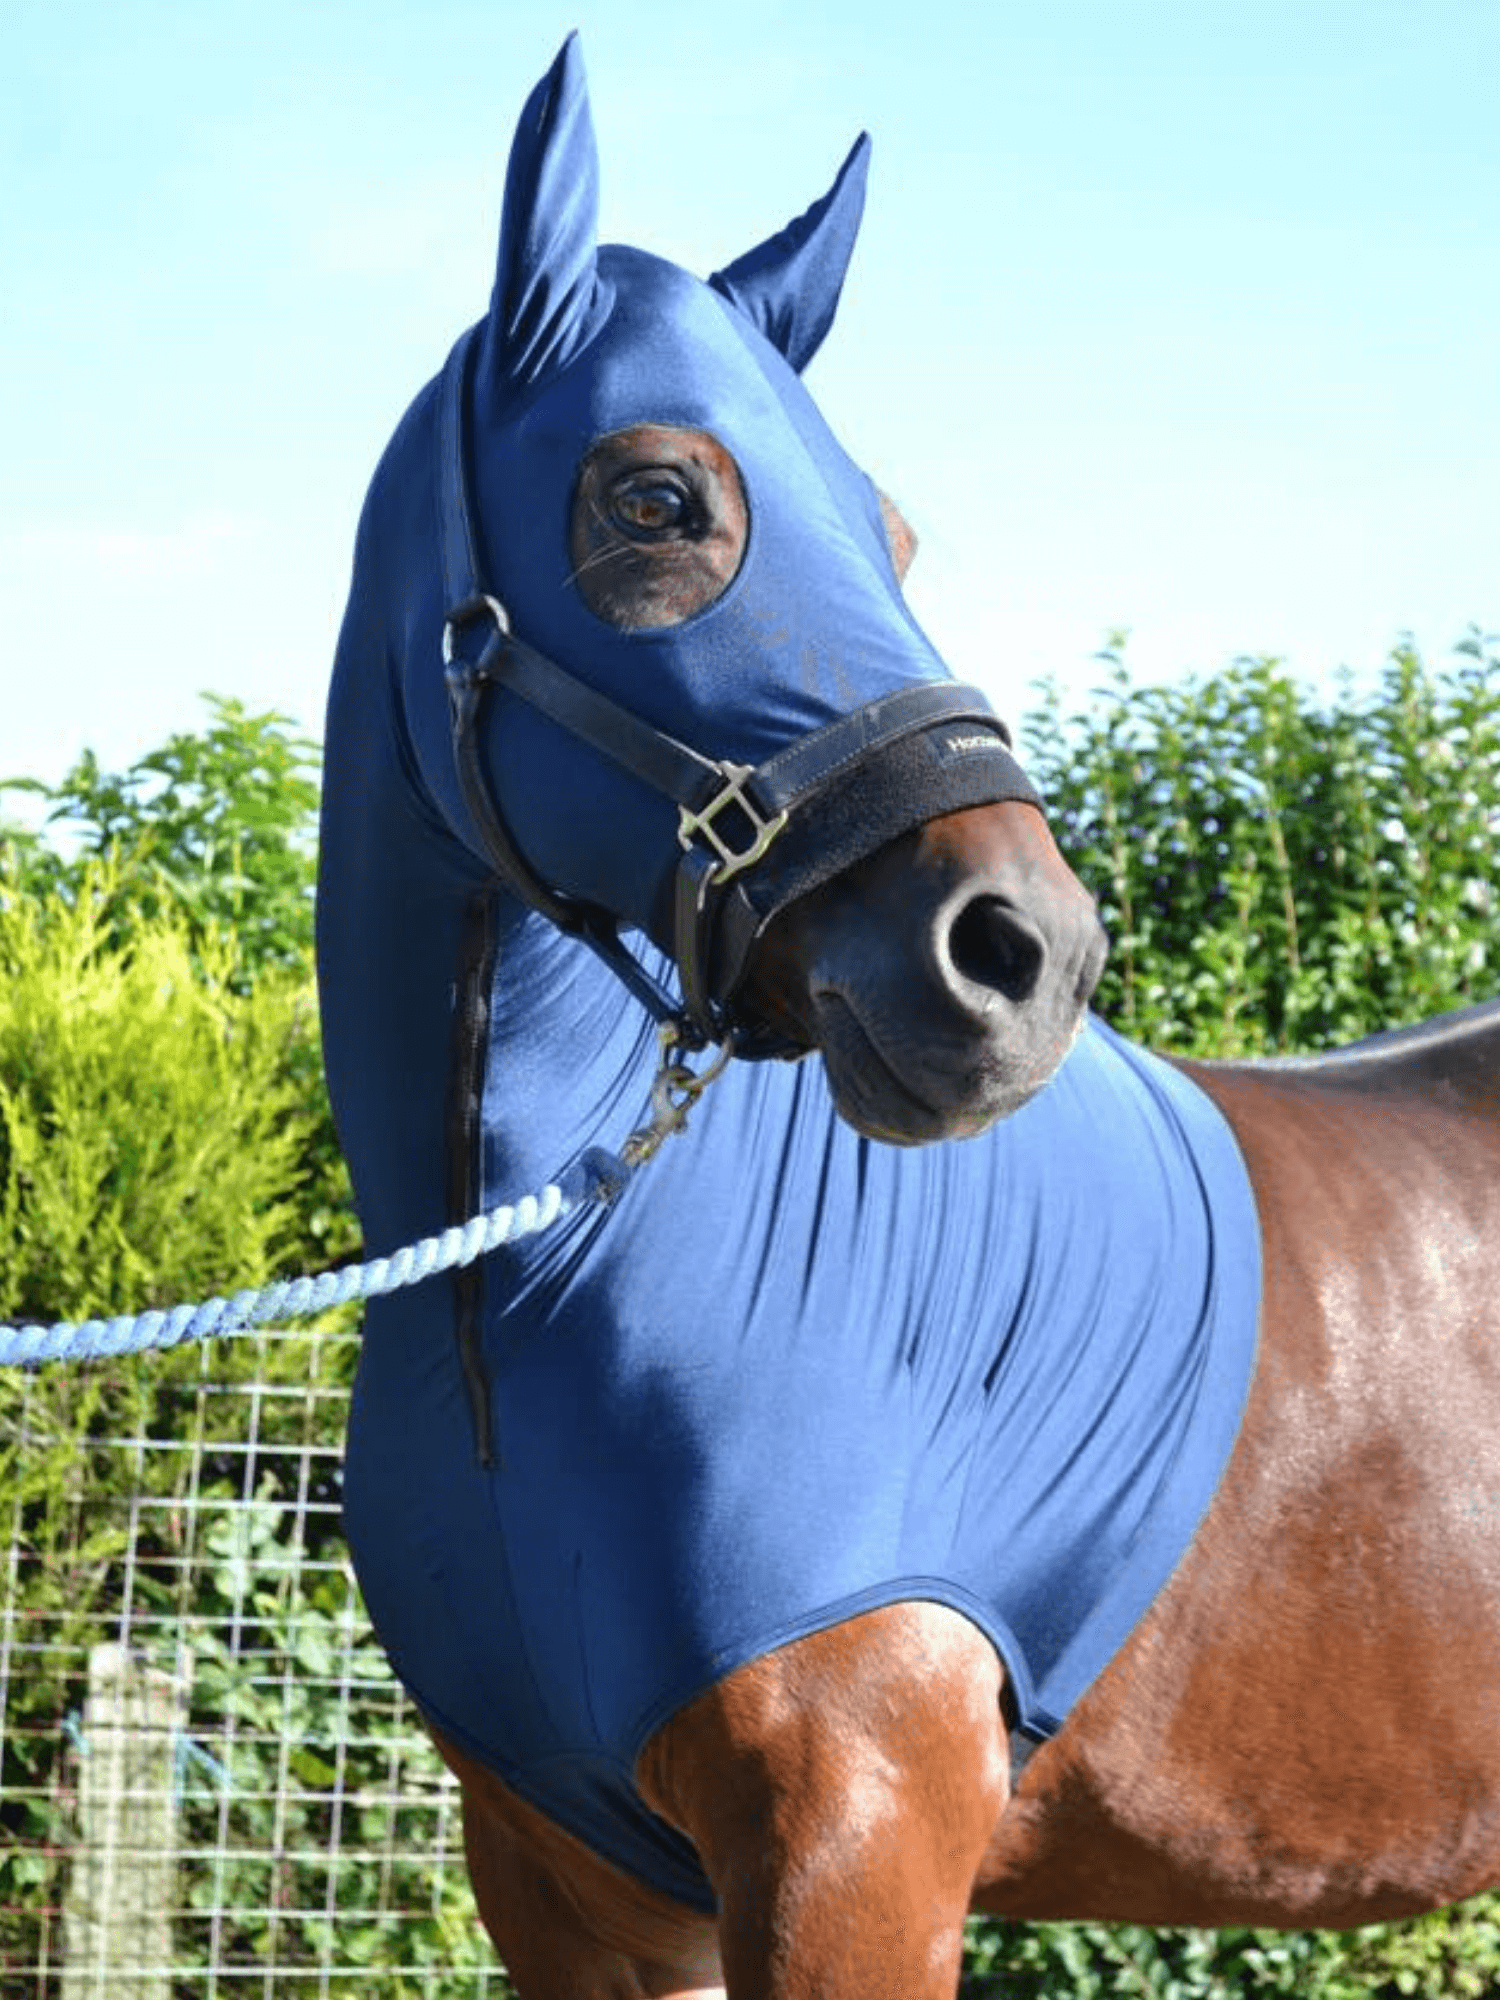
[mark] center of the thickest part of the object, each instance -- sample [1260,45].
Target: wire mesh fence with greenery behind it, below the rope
[209,1781]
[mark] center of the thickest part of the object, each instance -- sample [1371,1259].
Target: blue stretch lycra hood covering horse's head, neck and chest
[793,1375]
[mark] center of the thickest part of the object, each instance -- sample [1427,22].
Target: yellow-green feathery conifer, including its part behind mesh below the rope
[151,1137]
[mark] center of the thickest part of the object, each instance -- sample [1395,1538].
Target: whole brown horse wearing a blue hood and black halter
[973,1465]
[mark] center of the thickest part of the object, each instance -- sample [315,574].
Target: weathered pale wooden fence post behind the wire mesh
[117,1917]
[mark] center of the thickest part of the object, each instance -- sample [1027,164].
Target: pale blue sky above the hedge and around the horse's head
[1171,317]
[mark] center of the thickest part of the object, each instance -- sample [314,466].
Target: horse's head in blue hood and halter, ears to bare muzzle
[733,735]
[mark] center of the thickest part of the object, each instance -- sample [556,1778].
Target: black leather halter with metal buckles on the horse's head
[749,839]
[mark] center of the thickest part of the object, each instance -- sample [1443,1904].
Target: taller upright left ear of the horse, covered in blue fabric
[547,297]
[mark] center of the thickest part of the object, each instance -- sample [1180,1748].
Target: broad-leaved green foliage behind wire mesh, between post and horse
[309,1775]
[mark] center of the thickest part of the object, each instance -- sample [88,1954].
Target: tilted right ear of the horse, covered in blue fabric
[791,283]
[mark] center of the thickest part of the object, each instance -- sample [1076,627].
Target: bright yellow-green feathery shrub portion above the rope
[149,1123]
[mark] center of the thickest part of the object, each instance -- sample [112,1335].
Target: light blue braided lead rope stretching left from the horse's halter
[597,1179]
